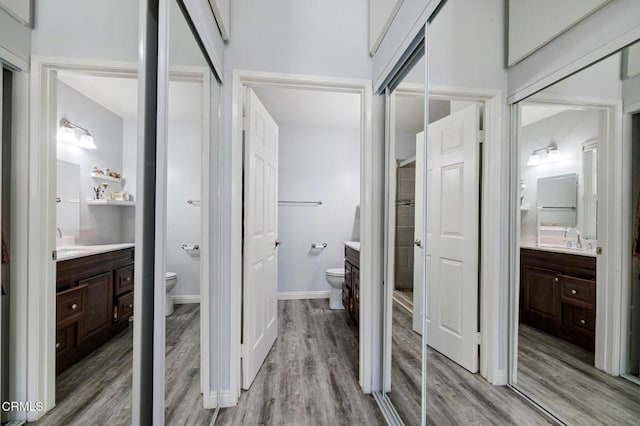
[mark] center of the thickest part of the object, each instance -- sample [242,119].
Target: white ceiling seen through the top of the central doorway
[311,108]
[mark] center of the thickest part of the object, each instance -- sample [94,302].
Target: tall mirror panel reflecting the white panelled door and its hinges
[465,162]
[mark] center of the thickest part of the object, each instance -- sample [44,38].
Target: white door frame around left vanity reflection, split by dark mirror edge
[40,335]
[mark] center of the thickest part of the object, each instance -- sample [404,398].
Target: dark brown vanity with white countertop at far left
[94,299]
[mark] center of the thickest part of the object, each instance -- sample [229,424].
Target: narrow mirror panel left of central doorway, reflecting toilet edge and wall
[190,115]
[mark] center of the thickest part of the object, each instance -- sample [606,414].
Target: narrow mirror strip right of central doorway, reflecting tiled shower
[406,217]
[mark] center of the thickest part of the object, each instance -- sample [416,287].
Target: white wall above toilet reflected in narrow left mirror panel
[183,219]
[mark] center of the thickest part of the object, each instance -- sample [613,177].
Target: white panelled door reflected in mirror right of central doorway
[452,235]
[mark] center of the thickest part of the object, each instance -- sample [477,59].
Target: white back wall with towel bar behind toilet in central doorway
[316,164]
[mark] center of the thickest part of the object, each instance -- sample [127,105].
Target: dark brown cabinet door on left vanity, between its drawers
[98,307]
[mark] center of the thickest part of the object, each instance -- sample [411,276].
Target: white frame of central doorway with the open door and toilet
[371,220]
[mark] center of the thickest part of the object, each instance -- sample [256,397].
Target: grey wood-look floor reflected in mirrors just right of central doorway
[454,396]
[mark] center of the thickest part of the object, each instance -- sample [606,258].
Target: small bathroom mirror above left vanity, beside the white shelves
[68,201]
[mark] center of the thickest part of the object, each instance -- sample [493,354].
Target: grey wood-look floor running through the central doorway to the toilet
[310,377]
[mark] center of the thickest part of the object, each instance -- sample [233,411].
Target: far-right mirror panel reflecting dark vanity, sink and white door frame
[575,221]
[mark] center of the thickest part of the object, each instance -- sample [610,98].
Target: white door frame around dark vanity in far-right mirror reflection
[609,339]
